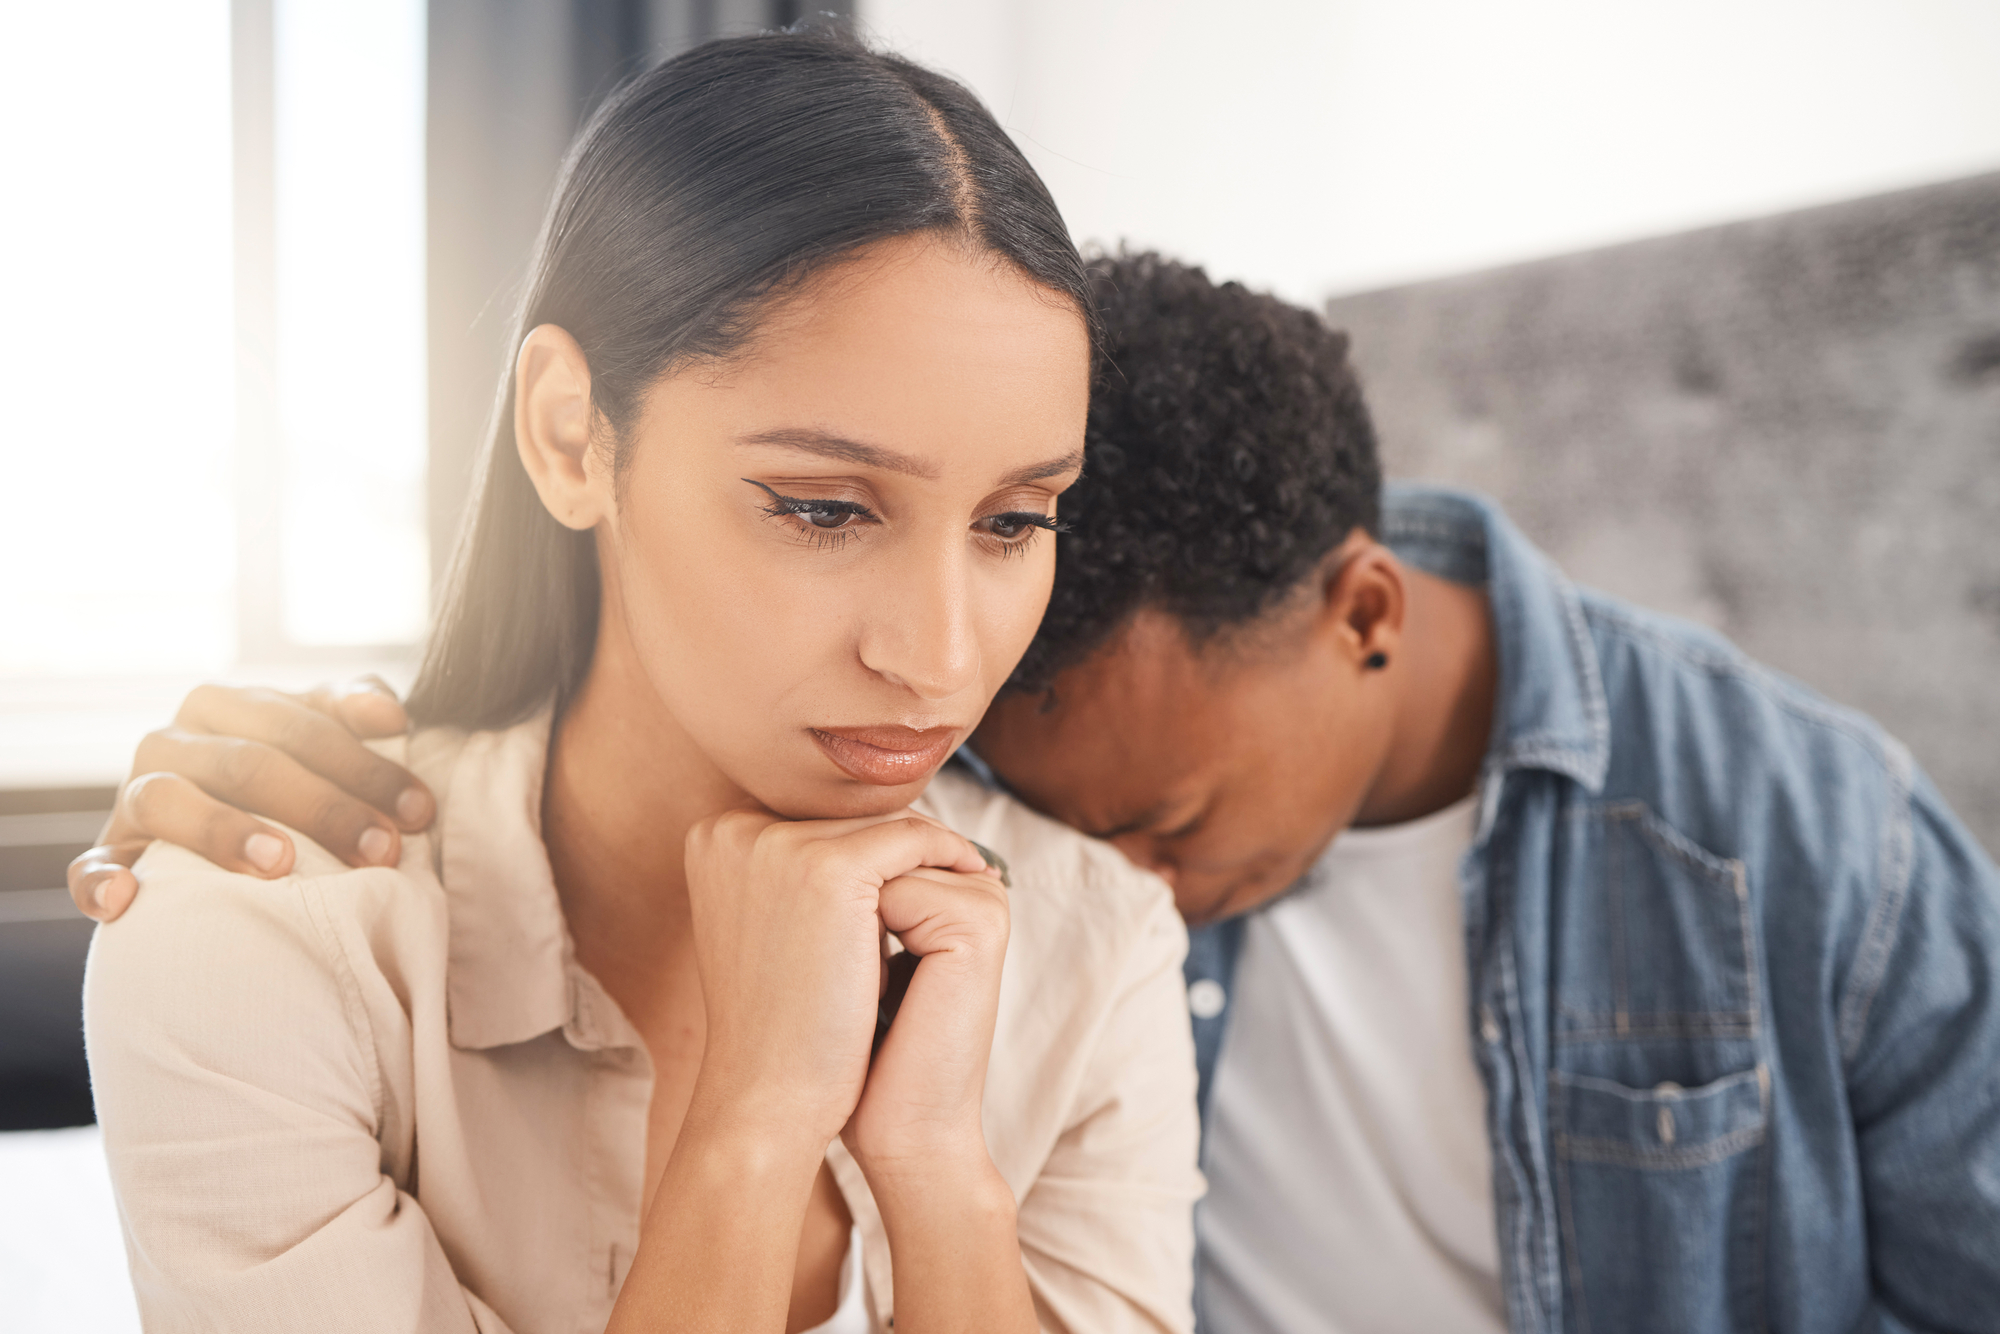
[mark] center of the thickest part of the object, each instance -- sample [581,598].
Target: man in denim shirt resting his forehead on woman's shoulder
[1641,989]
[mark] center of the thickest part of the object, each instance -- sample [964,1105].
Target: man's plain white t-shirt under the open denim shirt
[1351,1181]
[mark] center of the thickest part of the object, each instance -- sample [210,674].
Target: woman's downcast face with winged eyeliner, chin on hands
[827,555]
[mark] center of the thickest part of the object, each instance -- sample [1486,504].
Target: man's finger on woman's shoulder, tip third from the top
[247,777]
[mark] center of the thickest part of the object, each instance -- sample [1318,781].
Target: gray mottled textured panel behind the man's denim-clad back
[1785,429]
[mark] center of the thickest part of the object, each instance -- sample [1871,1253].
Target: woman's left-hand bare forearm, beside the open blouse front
[719,1247]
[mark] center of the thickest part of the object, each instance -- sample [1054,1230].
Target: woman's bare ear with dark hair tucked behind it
[553,423]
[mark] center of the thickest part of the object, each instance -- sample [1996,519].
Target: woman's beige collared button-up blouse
[389,1099]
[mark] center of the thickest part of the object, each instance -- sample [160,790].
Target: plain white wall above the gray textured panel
[1321,147]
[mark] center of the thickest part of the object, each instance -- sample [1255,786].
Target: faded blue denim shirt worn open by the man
[1735,981]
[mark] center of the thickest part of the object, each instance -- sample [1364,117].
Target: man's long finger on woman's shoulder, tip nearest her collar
[313,739]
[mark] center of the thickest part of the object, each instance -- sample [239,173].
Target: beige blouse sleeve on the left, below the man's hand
[241,1097]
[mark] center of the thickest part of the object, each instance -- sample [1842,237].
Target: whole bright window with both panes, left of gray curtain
[213,355]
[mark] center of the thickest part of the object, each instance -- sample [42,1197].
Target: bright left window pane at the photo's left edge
[117,339]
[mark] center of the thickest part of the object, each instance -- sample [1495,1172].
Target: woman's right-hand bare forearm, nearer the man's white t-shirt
[955,1249]
